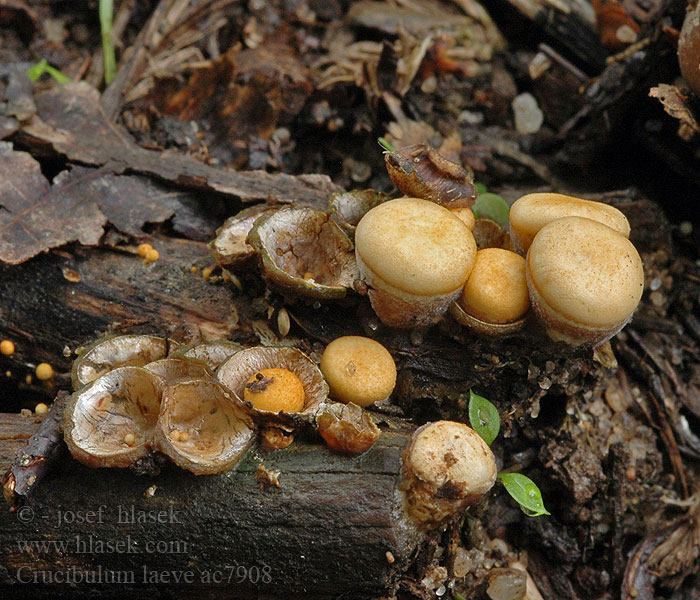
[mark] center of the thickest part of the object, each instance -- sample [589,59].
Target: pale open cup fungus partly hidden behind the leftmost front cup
[118,351]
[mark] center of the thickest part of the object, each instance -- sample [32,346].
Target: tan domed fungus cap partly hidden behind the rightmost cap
[533,211]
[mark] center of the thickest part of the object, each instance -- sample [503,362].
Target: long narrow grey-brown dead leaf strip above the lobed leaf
[71,121]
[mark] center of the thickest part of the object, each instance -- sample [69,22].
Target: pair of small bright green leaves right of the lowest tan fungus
[484,419]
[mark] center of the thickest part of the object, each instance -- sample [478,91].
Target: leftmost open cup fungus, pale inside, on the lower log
[110,422]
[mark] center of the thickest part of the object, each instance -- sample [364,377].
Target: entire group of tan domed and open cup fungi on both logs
[565,262]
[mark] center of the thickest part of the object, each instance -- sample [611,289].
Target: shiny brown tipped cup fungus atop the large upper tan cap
[422,172]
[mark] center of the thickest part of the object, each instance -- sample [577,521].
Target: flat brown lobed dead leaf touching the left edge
[36,216]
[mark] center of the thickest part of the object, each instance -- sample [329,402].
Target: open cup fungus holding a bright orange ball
[254,369]
